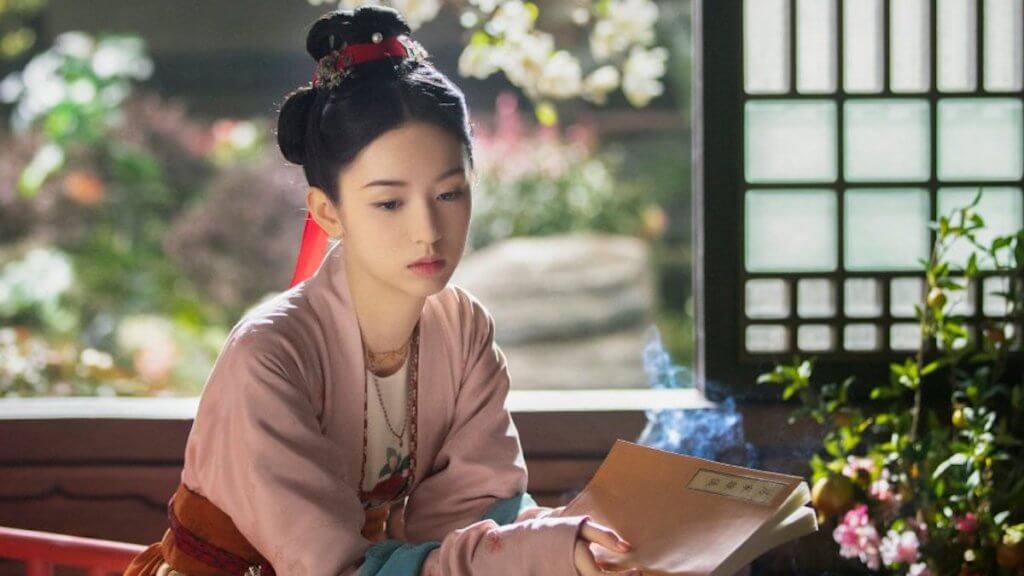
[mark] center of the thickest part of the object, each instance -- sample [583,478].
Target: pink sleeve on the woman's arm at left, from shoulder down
[257,452]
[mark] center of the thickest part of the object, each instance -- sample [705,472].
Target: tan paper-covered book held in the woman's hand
[690,517]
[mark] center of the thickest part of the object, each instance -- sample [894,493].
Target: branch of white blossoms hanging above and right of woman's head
[503,37]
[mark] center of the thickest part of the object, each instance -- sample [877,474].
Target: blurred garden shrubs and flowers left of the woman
[108,284]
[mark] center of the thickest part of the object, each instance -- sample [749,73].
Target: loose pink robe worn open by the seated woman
[278,441]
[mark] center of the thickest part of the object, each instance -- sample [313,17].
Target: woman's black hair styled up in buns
[323,130]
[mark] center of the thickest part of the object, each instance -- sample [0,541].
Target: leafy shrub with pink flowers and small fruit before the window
[931,488]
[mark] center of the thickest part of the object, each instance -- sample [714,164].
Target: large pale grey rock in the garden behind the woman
[570,311]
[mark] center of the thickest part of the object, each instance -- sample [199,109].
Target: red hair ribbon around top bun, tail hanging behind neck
[314,238]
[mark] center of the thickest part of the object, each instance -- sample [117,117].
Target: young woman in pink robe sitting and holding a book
[357,424]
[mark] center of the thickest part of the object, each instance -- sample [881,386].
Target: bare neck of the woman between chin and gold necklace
[387,316]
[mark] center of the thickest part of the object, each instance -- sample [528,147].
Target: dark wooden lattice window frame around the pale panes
[722,367]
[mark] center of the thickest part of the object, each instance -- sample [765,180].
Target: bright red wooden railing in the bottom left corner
[41,552]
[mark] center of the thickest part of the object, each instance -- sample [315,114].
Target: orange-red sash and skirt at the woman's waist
[204,542]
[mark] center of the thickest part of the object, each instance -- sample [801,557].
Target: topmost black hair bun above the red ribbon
[353,27]
